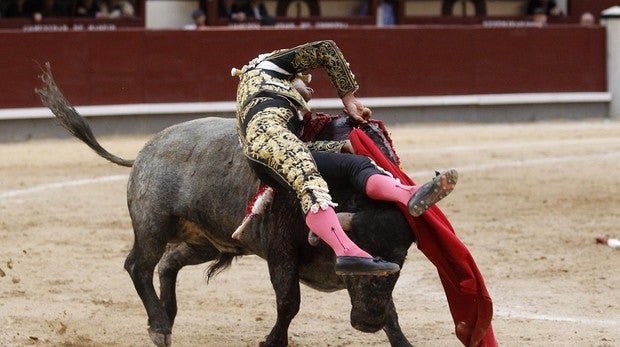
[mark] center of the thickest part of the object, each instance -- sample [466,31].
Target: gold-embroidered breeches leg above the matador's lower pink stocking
[273,145]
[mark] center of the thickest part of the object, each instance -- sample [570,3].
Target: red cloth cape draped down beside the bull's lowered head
[468,299]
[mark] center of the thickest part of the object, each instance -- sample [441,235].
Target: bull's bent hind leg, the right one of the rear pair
[175,258]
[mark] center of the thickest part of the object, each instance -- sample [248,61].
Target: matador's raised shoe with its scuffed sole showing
[431,192]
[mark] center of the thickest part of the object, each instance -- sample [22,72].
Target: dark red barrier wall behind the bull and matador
[141,66]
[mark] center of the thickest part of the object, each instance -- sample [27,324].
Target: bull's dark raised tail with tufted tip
[70,119]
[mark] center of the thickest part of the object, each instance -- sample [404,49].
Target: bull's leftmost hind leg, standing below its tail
[149,246]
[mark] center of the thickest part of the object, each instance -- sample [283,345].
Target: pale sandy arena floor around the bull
[530,201]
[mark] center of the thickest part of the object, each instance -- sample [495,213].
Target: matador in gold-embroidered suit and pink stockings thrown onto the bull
[270,100]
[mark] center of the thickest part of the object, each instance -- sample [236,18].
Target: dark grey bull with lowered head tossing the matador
[188,191]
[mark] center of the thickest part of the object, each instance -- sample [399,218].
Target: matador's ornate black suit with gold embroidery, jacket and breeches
[269,121]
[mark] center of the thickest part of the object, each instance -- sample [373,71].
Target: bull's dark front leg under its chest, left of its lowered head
[284,274]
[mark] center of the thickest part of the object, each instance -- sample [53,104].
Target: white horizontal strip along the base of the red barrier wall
[404,101]
